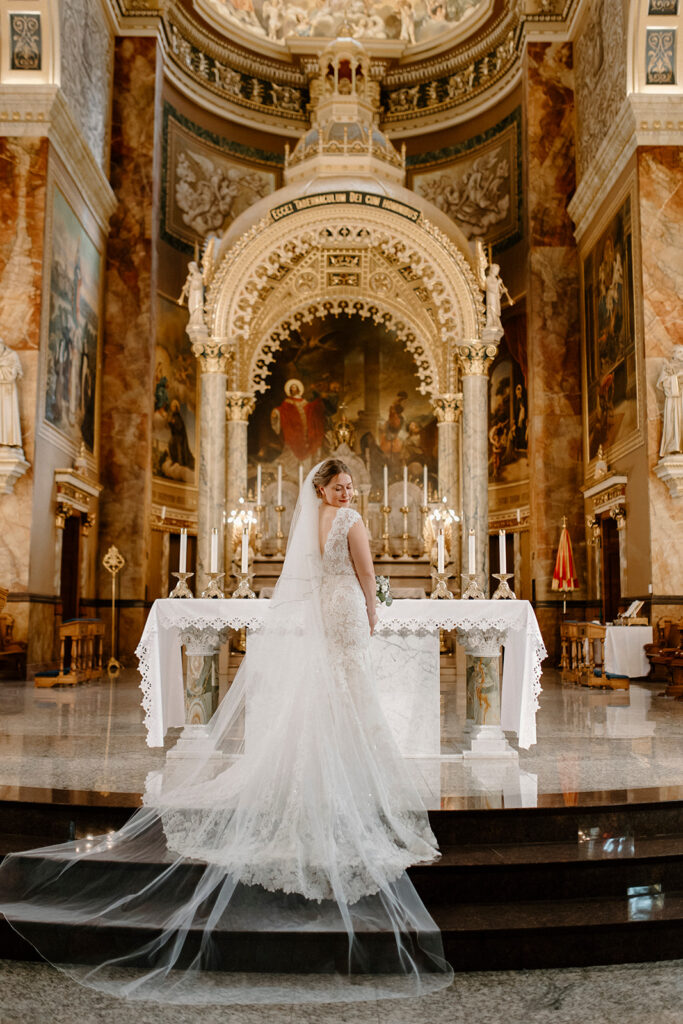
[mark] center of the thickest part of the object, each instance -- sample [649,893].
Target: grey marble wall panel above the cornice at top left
[88,44]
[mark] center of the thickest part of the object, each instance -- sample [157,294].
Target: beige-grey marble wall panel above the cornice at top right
[601,67]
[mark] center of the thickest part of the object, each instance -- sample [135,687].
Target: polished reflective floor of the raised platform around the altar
[91,738]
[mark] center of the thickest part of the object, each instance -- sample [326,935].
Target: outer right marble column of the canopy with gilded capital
[476,359]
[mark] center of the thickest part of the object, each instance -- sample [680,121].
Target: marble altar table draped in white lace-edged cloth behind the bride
[406,658]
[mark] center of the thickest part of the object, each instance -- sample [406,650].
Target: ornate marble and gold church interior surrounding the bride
[442,241]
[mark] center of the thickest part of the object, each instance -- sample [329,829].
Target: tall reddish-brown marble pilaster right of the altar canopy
[556,449]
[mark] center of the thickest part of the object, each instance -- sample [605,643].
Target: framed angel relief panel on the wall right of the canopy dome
[479,188]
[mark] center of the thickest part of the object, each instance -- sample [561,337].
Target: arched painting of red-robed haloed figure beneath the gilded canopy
[345,379]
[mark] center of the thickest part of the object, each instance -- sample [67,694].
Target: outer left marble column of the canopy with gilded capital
[215,357]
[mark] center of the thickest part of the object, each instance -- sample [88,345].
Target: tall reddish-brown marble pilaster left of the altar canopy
[129,353]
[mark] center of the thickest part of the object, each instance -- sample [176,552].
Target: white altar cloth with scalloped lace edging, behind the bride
[513,623]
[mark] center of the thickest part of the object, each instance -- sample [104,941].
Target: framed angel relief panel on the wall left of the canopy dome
[207,182]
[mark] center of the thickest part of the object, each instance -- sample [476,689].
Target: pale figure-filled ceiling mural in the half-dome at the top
[410,21]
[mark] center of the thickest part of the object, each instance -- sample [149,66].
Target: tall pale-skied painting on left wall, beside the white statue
[73,327]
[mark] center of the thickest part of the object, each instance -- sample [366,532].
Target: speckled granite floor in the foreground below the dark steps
[636,994]
